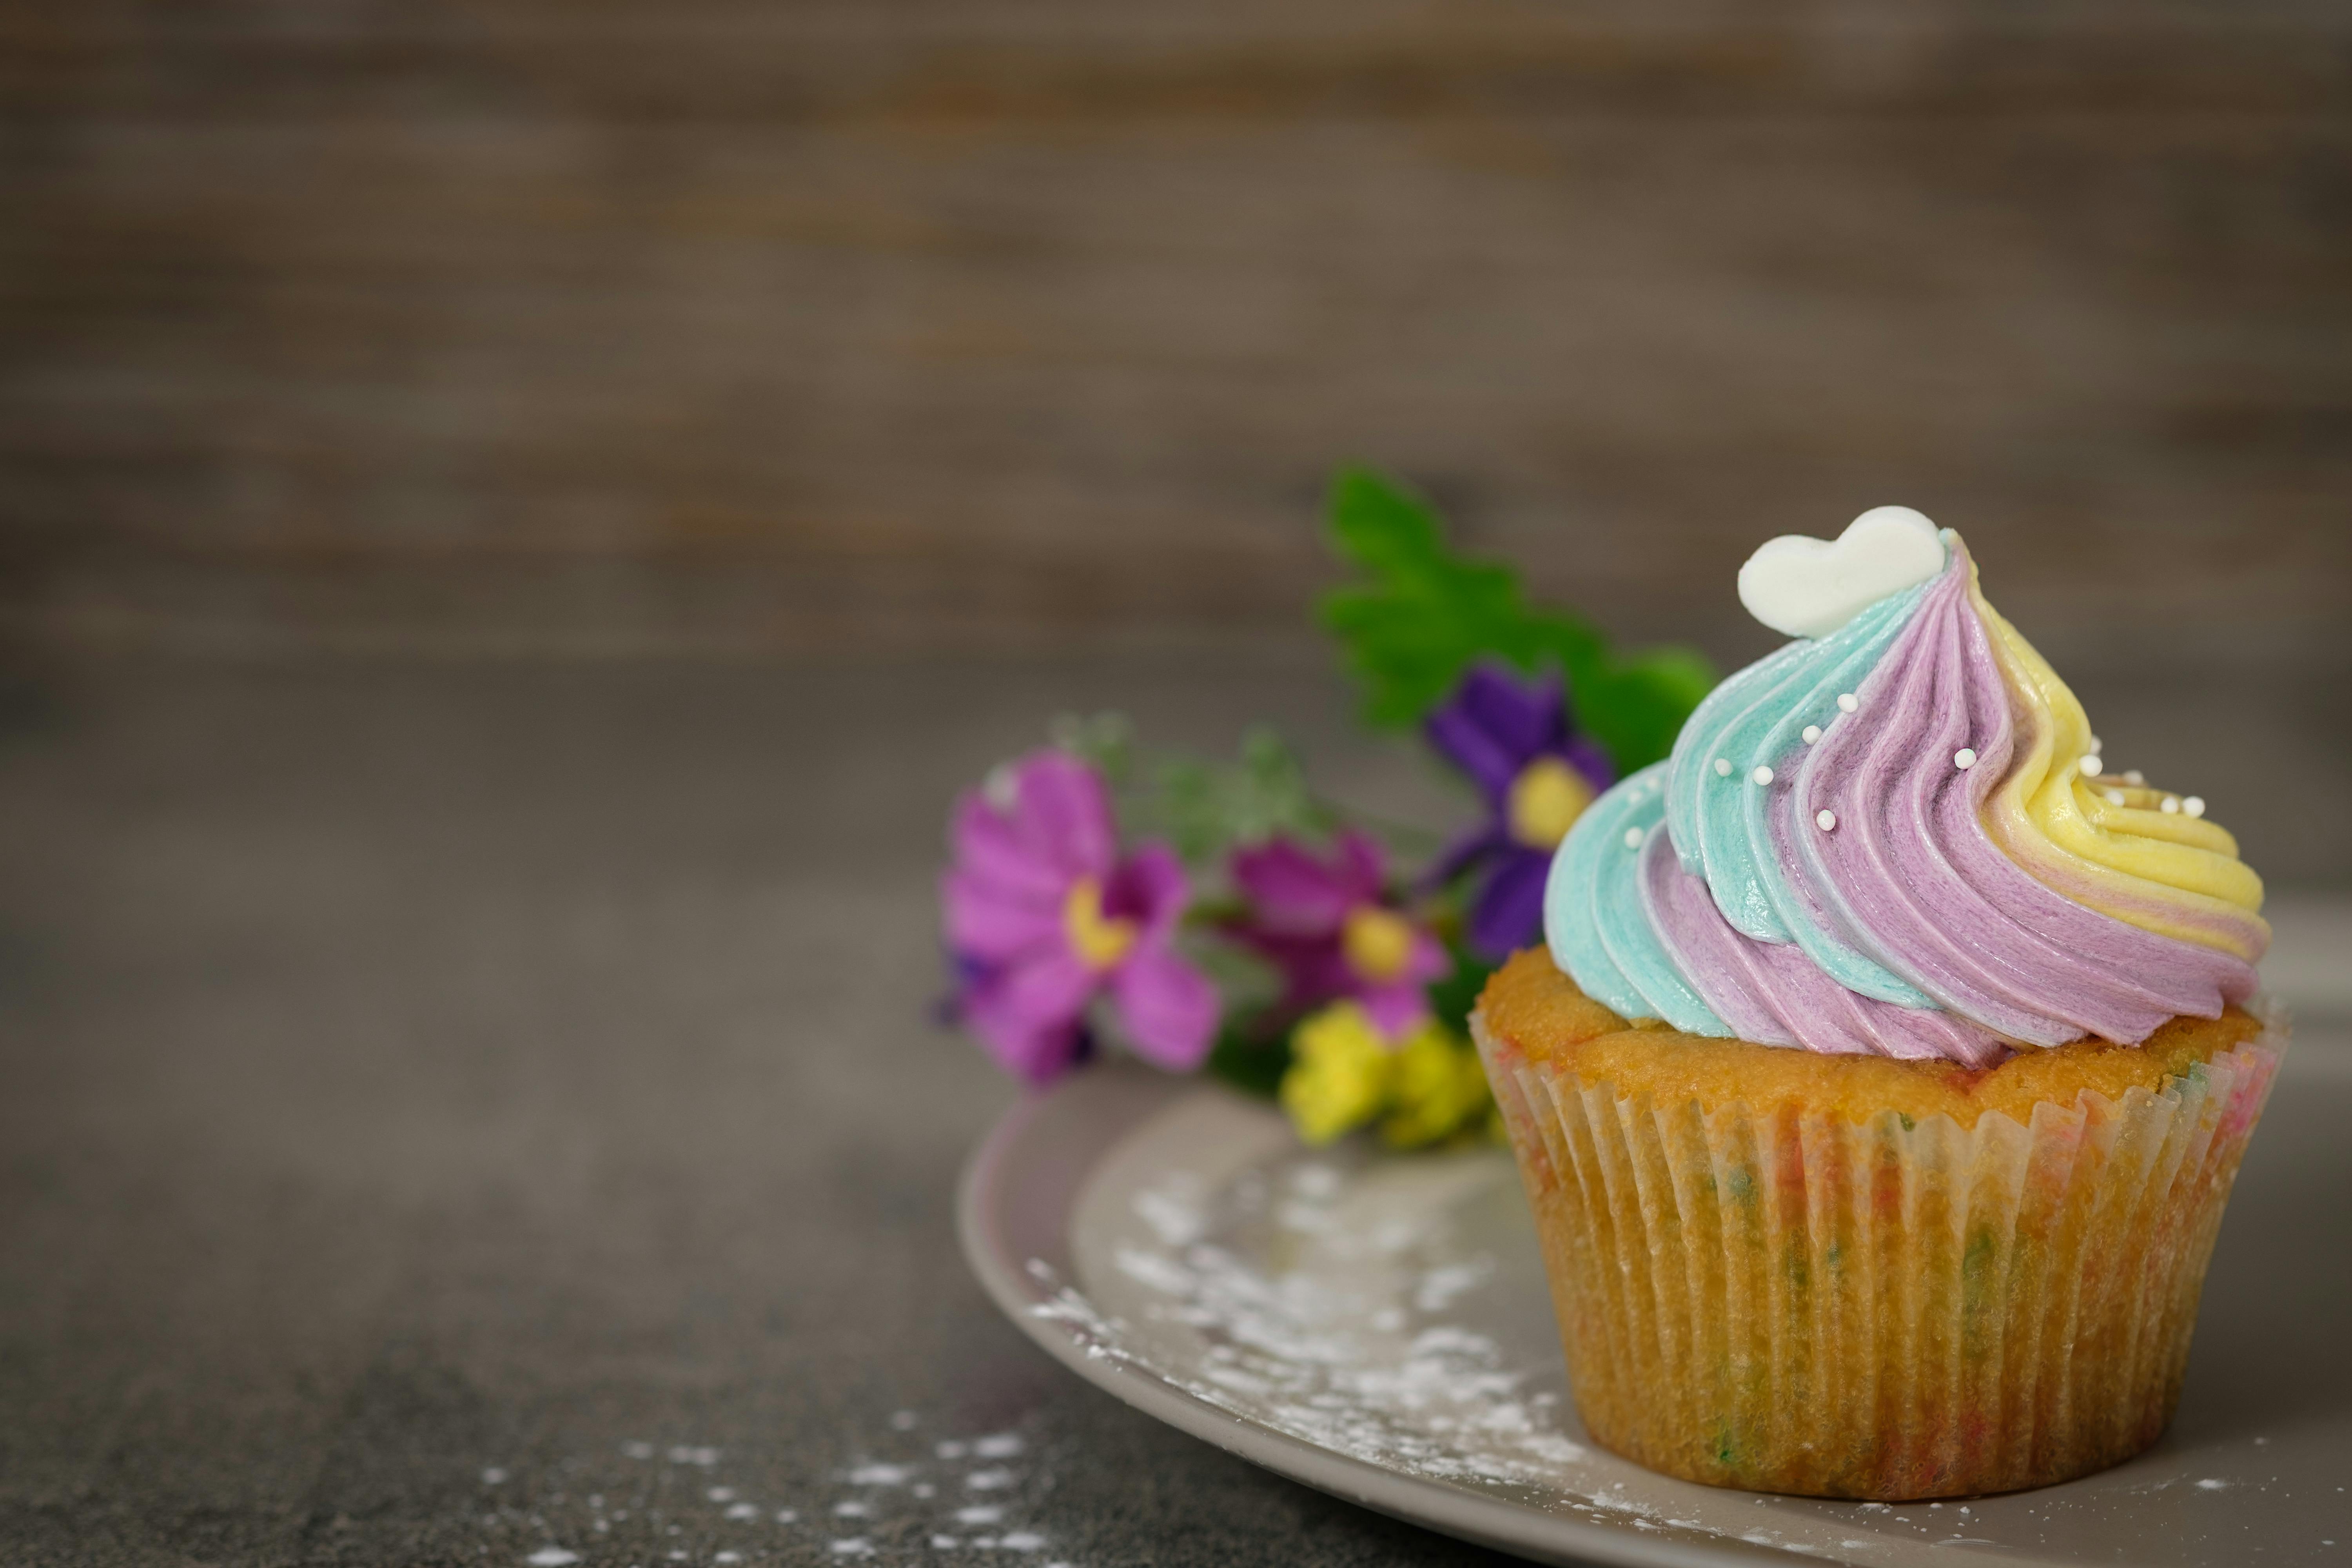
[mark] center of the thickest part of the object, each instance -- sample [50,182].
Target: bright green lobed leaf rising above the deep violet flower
[1429,615]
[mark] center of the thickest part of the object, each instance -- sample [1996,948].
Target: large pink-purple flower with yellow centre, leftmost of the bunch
[1043,916]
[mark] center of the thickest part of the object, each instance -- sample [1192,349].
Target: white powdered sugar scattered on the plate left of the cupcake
[1321,1296]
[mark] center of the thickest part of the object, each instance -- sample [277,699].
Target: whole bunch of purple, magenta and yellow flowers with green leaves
[1231,920]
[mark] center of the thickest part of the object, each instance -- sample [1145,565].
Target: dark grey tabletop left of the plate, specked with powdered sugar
[432,1087]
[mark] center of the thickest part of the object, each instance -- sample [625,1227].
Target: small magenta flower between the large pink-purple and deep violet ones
[1332,934]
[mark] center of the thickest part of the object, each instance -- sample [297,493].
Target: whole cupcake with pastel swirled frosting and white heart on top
[1890,1059]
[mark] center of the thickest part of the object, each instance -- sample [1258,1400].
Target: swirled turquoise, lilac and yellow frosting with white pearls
[1890,840]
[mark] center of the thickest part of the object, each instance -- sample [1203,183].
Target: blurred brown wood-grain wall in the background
[573,326]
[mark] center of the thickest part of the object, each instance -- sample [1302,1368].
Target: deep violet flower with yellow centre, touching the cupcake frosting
[1518,744]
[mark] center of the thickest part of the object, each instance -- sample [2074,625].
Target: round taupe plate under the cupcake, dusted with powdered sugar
[1377,1327]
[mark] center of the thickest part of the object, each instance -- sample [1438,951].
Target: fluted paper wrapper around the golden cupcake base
[1803,1304]
